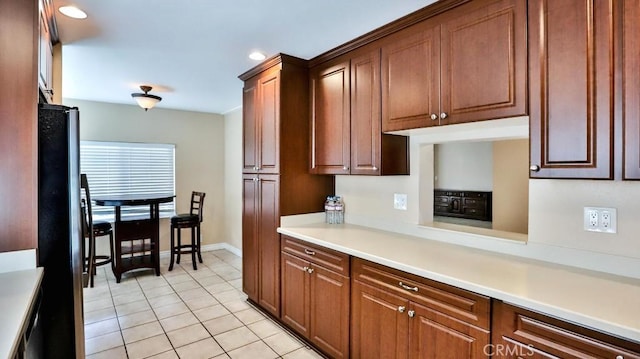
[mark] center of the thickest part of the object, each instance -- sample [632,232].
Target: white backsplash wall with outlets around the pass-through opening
[555,215]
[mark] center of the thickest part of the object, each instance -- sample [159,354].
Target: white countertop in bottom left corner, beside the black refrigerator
[17,292]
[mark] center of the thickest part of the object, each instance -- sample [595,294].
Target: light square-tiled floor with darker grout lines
[183,314]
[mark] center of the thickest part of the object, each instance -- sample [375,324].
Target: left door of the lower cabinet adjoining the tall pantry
[295,293]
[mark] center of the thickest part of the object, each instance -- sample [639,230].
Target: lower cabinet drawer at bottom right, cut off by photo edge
[546,336]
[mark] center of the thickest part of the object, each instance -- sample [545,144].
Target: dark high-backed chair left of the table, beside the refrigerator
[99,229]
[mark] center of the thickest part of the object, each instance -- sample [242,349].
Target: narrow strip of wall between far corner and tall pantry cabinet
[233,178]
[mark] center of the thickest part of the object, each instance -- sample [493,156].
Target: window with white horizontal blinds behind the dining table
[128,168]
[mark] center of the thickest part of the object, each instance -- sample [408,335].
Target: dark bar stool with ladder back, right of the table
[188,220]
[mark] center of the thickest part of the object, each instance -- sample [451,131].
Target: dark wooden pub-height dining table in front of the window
[137,240]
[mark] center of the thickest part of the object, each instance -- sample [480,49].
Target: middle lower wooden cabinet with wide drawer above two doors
[398,315]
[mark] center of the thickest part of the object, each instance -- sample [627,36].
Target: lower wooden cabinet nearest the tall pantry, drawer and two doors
[315,295]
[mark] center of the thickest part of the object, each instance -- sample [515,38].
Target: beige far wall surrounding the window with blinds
[199,140]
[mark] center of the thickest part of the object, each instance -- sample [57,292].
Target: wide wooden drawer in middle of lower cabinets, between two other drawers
[467,306]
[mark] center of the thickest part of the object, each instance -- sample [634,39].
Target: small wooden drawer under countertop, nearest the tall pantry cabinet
[328,258]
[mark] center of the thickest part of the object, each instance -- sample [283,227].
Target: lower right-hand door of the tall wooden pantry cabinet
[269,243]
